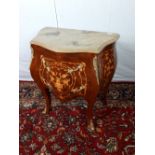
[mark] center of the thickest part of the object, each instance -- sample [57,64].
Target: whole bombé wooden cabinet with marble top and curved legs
[73,63]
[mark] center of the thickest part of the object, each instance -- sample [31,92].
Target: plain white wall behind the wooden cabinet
[98,15]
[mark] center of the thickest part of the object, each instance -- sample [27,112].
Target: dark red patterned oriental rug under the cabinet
[63,131]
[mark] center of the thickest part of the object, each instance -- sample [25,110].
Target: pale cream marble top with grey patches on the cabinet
[73,41]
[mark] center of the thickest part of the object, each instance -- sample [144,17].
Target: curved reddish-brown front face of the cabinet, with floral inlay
[68,75]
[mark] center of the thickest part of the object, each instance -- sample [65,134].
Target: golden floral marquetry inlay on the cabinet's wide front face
[68,79]
